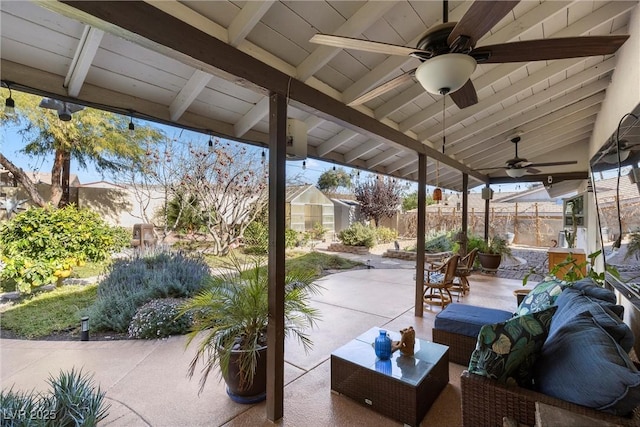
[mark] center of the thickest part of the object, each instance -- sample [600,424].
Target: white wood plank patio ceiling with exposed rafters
[51,47]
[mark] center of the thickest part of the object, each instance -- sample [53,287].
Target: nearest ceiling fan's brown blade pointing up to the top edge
[479,19]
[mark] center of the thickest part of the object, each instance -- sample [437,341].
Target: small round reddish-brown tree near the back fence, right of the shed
[379,197]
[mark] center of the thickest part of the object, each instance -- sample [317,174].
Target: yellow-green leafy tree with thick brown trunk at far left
[92,138]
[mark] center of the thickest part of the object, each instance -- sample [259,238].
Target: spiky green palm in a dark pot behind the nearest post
[230,319]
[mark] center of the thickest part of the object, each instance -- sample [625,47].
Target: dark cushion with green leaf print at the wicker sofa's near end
[506,351]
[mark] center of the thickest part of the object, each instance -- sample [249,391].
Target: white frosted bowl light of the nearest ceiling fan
[448,72]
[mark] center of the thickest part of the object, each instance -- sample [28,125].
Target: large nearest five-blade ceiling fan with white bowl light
[449,54]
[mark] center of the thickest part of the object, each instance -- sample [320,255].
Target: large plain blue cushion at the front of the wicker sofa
[583,364]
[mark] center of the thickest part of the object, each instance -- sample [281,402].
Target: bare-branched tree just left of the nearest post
[216,192]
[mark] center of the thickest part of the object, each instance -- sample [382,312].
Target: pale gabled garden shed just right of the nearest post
[307,206]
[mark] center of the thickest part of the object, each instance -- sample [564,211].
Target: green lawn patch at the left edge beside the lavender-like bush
[48,312]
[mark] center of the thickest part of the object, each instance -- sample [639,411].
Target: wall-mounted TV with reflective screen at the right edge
[615,177]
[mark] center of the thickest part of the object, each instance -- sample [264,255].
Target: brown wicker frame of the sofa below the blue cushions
[485,402]
